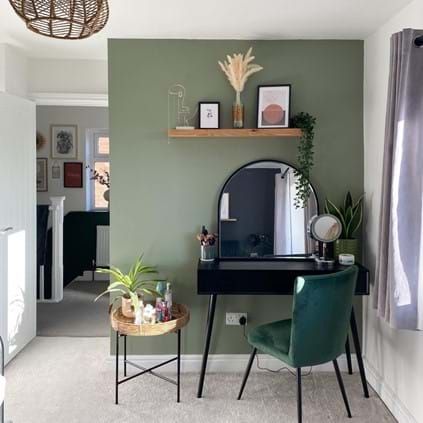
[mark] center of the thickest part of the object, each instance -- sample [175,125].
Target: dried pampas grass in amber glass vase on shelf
[238,69]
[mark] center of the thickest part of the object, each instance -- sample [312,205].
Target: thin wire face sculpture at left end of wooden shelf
[179,114]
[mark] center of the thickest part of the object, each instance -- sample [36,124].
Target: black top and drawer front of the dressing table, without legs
[263,277]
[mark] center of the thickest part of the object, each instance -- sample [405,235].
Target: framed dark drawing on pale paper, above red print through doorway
[64,141]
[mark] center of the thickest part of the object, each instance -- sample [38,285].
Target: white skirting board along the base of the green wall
[227,363]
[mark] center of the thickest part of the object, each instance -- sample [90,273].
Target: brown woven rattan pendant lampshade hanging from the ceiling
[63,19]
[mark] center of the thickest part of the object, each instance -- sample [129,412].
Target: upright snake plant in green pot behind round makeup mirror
[351,216]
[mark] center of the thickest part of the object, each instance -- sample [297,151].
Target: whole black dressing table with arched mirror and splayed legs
[257,254]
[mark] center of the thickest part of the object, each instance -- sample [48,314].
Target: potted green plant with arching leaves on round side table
[130,287]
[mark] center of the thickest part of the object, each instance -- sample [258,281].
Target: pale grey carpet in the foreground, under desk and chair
[71,380]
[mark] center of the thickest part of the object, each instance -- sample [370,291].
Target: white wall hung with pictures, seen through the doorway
[85,118]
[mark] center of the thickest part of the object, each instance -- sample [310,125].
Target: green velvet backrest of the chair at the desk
[321,314]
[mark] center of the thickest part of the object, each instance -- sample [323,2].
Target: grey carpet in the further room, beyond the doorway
[77,314]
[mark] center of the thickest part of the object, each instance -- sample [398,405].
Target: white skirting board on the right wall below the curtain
[388,395]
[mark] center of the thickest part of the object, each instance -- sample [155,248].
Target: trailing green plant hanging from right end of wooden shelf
[305,158]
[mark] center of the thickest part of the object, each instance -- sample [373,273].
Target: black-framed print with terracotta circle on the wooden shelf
[273,106]
